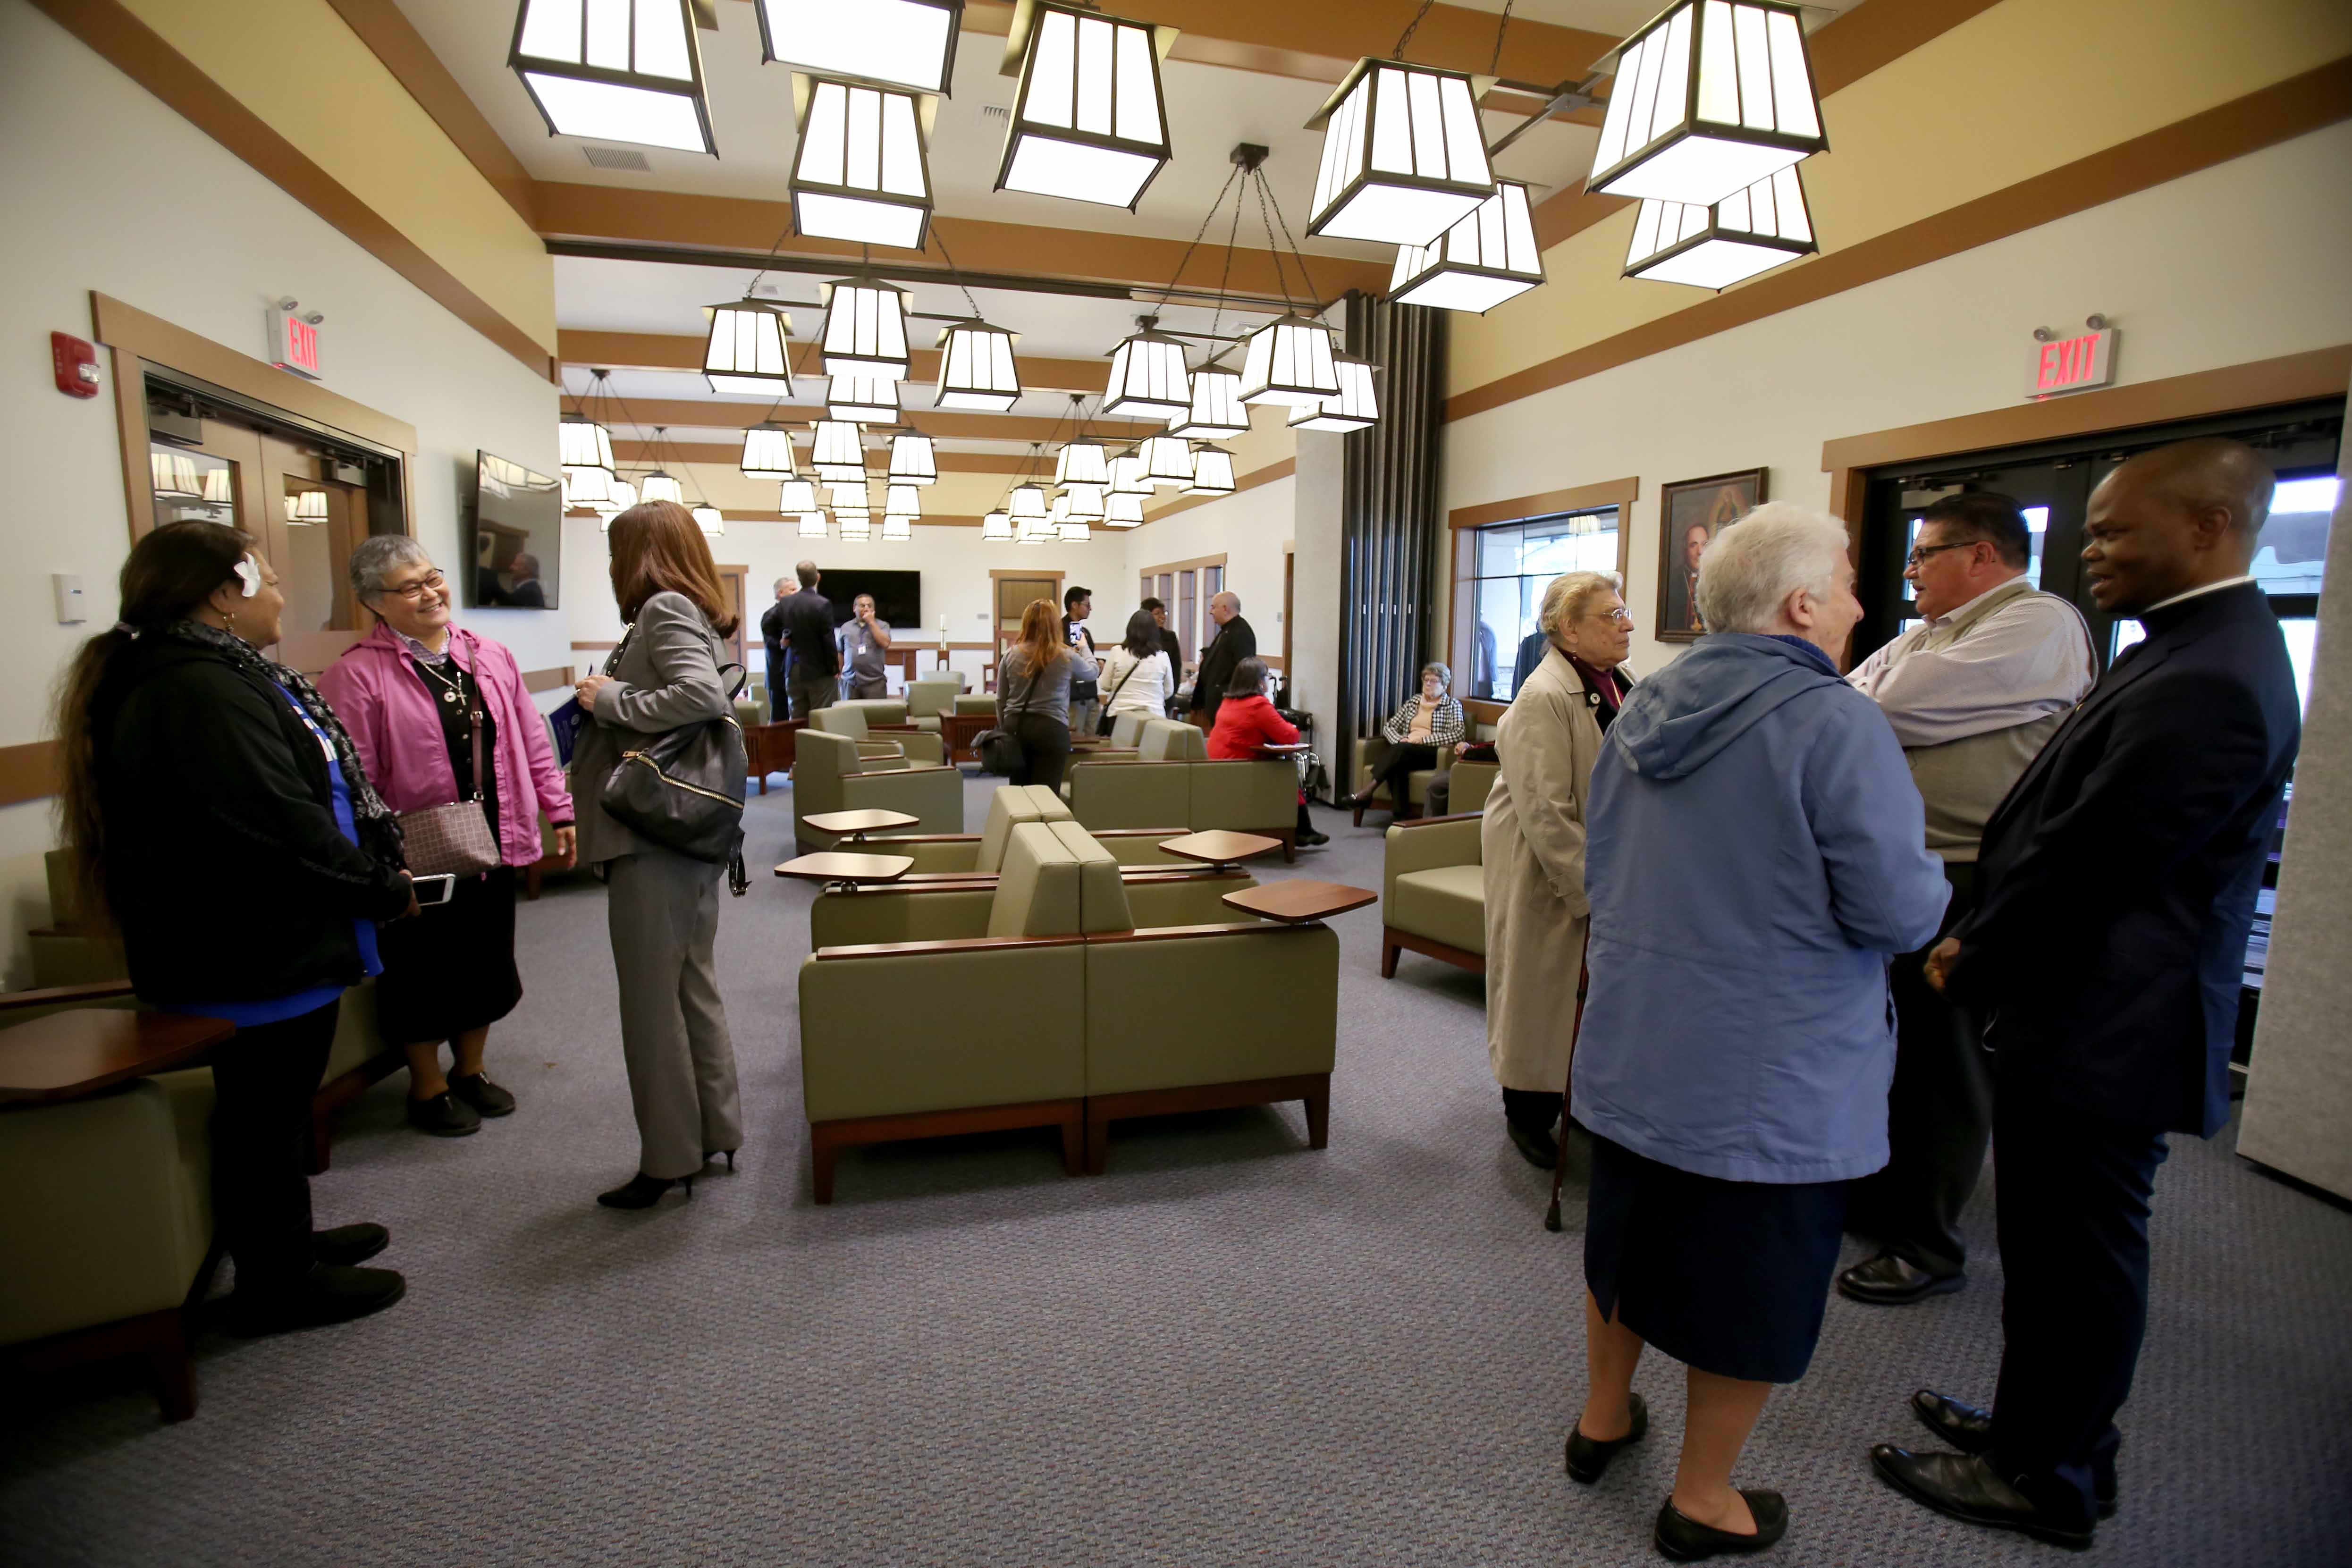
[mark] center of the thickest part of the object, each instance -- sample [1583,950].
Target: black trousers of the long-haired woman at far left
[262,1087]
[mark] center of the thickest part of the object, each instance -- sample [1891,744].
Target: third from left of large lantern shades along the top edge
[1090,121]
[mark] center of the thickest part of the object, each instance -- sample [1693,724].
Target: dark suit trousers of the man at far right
[2073,1231]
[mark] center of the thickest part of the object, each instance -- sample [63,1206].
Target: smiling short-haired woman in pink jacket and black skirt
[406,692]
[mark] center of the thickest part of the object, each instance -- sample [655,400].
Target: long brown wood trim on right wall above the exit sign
[2231,130]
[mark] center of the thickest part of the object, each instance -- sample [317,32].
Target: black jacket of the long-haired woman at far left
[225,864]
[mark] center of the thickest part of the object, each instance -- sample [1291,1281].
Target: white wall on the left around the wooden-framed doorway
[114,192]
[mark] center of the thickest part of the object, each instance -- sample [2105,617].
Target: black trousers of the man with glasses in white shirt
[1939,1115]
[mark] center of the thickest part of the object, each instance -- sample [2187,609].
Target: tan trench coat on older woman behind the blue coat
[1535,852]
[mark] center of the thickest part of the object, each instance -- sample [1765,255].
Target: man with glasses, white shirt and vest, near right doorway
[1972,695]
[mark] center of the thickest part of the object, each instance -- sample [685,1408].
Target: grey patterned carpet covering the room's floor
[1227,1351]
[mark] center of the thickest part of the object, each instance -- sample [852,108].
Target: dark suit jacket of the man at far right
[2120,873]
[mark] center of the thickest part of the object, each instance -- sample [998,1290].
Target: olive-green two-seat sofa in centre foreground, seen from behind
[1048,1031]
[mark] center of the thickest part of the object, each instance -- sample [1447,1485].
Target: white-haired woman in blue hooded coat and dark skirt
[1756,857]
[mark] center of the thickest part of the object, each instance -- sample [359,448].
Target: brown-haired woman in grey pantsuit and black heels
[662,906]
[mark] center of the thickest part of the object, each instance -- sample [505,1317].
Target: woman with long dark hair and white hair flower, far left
[222,819]
